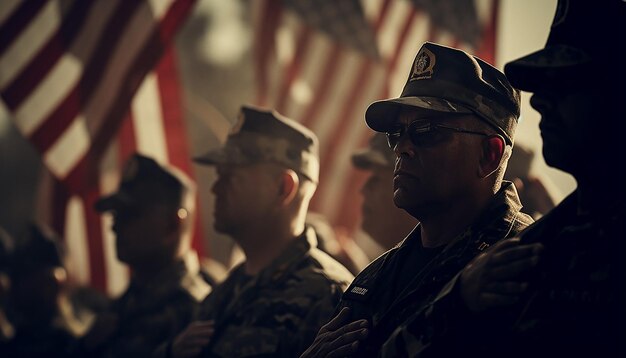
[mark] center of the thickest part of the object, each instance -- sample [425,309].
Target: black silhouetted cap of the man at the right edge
[585,38]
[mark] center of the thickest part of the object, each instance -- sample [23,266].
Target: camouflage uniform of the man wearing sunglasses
[375,294]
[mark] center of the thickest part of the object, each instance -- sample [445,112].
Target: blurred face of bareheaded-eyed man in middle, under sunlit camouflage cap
[243,195]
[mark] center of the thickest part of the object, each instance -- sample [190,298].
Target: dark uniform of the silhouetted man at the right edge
[580,294]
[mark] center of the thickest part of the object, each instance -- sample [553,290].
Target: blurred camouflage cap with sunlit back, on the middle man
[267,136]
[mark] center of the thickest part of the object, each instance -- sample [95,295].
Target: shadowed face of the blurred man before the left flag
[142,232]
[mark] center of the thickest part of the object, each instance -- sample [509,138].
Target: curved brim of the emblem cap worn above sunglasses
[381,115]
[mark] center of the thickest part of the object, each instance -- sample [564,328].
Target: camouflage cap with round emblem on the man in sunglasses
[446,79]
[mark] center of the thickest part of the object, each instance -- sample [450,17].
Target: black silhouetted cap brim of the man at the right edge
[551,64]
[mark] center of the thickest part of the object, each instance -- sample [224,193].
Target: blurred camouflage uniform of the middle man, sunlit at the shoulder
[279,311]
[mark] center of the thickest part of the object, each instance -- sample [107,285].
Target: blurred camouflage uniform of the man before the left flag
[153,313]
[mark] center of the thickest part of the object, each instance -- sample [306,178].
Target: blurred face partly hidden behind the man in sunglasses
[382,220]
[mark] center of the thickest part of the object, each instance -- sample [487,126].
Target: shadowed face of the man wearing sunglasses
[441,168]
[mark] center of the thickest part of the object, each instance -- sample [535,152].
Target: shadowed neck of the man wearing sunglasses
[442,227]
